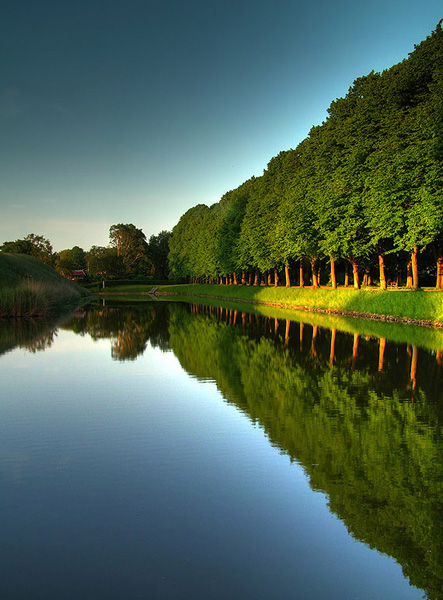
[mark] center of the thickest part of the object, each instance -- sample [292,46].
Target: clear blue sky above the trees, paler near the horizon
[132,111]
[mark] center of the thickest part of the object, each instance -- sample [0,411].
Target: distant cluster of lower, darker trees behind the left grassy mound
[128,254]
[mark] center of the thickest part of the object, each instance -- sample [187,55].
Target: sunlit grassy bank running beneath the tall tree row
[418,307]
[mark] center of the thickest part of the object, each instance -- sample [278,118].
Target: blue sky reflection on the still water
[133,480]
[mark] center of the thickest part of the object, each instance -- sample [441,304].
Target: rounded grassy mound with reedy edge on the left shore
[28,288]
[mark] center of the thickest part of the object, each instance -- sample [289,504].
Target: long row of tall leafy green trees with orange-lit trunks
[363,191]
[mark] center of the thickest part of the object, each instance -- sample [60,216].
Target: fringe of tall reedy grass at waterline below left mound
[33,298]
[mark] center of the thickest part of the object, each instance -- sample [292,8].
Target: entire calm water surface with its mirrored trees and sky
[173,451]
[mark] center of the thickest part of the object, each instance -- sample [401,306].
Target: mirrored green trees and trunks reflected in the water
[362,414]
